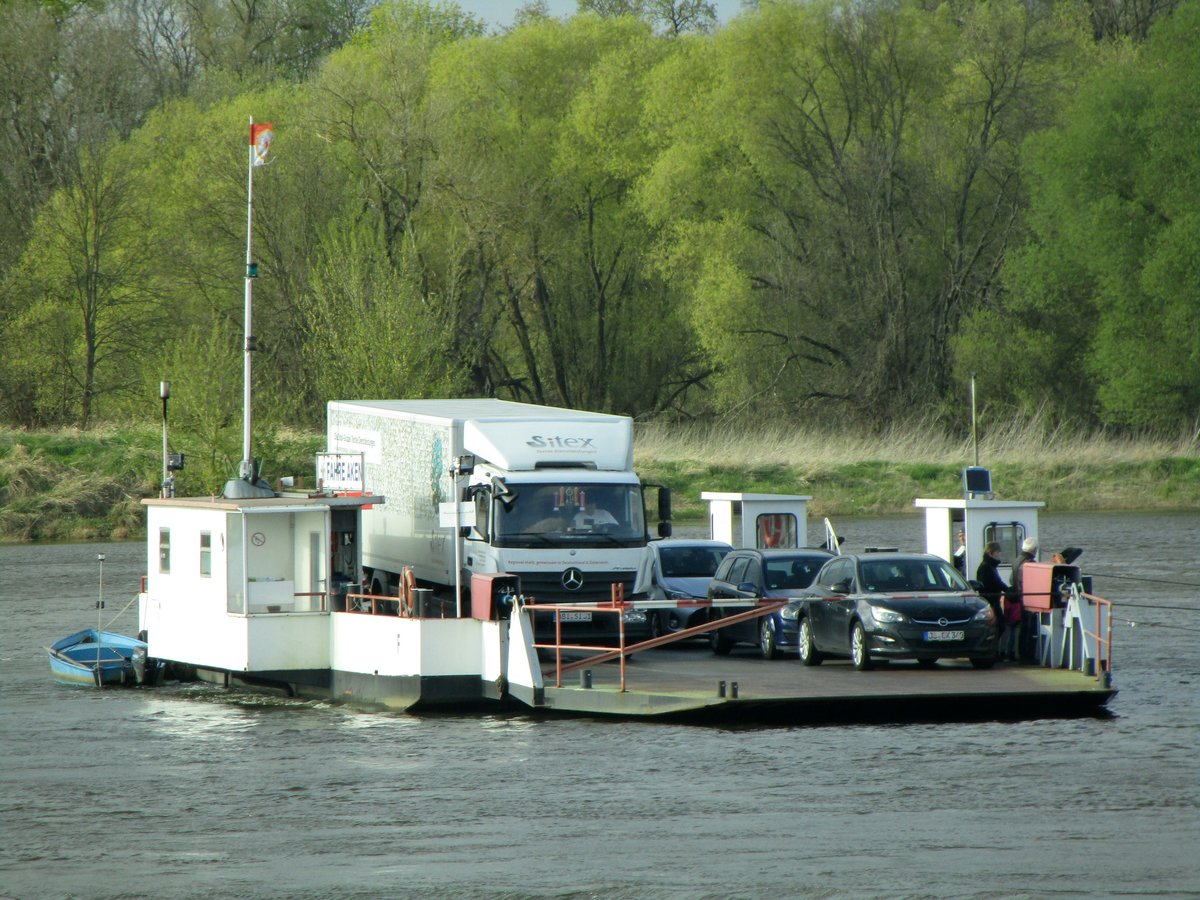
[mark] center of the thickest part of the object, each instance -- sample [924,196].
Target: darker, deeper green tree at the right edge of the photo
[1103,299]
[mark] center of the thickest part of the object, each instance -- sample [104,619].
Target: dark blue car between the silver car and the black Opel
[749,575]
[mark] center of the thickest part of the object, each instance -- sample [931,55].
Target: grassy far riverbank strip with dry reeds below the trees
[73,485]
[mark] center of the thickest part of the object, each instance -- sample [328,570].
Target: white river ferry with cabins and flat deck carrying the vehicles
[262,589]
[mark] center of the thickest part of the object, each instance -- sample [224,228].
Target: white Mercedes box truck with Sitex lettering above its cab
[548,495]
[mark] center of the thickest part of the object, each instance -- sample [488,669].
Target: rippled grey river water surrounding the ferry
[190,791]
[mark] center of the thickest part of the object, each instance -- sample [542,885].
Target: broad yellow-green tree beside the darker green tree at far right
[843,190]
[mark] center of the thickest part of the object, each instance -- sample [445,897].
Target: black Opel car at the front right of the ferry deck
[878,607]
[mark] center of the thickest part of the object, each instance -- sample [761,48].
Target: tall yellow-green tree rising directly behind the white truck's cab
[554,251]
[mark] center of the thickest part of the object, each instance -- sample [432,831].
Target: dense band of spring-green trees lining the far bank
[838,212]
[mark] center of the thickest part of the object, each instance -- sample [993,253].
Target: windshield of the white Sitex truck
[559,514]
